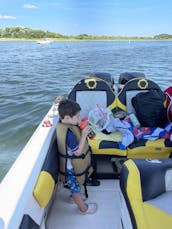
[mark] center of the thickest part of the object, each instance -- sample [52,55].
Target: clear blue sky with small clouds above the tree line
[93,17]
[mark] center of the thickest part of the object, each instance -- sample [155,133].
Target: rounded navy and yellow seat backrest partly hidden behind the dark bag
[131,89]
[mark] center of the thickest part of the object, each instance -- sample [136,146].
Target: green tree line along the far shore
[28,33]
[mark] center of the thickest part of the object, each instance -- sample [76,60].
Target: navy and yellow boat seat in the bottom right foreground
[147,188]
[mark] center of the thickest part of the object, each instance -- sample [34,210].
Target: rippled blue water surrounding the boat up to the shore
[33,75]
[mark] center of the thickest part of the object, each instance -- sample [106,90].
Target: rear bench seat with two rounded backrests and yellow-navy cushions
[91,91]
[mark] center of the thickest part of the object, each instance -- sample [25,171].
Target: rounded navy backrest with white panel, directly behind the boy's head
[91,91]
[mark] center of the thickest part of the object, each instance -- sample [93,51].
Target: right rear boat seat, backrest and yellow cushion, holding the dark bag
[142,148]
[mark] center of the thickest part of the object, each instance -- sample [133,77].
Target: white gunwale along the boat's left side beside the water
[16,188]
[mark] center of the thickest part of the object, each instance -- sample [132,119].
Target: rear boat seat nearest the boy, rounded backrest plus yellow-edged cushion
[89,92]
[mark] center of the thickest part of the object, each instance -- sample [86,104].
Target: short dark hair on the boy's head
[68,107]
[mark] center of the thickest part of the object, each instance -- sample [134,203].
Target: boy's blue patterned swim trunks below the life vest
[72,182]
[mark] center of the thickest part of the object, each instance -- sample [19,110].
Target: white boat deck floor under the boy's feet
[64,215]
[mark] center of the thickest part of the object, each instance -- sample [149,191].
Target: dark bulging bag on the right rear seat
[149,107]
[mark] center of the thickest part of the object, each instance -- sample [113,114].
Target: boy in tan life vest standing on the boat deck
[78,161]
